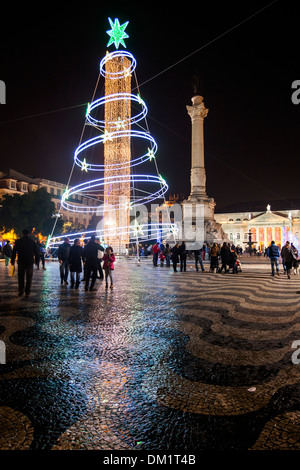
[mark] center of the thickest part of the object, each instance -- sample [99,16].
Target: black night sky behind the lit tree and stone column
[50,61]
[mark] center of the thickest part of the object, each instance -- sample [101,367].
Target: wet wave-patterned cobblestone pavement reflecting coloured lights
[164,361]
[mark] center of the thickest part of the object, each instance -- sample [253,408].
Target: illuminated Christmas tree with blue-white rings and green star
[120,145]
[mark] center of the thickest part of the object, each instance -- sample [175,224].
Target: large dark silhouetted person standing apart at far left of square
[28,254]
